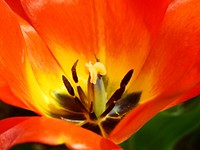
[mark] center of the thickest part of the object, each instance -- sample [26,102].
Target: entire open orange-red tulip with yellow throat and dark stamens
[94,71]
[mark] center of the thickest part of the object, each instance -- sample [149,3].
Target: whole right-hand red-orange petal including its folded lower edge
[171,70]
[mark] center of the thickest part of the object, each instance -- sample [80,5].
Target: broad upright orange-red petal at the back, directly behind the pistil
[118,33]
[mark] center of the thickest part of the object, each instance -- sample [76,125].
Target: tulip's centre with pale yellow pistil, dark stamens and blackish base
[93,110]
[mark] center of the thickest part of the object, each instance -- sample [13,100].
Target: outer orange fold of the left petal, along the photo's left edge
[13,60]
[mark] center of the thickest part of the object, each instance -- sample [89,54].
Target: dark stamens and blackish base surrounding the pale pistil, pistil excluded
[79,109]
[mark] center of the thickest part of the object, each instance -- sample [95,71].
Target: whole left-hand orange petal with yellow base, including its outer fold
[27,65]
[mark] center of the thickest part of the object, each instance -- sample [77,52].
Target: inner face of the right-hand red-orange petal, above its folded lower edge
[173,66]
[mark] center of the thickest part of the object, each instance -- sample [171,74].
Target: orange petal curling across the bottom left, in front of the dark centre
[49,131]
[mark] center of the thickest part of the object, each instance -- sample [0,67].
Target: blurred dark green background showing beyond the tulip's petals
[177,128]
